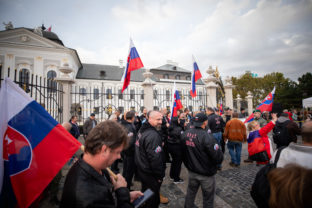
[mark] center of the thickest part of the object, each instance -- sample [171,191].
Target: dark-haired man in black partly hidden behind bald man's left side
[128,160]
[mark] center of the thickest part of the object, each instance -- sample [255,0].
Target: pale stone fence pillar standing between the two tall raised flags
[148,85]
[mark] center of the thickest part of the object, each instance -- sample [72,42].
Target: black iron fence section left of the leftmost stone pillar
[48,93]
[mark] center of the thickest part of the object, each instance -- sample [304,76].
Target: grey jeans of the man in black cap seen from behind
[208,186]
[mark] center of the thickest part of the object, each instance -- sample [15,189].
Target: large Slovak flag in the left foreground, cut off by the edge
[33,147]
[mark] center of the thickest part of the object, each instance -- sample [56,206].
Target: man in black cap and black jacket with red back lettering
[201,156]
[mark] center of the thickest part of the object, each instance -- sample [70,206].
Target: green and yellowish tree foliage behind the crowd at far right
[288,92]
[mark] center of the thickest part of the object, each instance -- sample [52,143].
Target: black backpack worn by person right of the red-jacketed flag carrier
[281,135]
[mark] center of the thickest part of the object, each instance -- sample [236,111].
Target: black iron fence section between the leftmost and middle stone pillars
[103,101]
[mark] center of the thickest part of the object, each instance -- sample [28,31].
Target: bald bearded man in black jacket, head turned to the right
[149,156]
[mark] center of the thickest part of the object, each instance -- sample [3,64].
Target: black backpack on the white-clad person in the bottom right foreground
[260,189]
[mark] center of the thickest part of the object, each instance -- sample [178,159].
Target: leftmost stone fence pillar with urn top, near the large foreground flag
[67,82]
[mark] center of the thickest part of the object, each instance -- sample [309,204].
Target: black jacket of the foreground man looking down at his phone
[85,187]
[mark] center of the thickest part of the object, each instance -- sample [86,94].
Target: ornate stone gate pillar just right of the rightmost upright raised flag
[211,87]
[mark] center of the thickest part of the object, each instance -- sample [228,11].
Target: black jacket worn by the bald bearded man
[149,154]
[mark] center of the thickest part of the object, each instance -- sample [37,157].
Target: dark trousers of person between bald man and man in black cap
[176,153]
